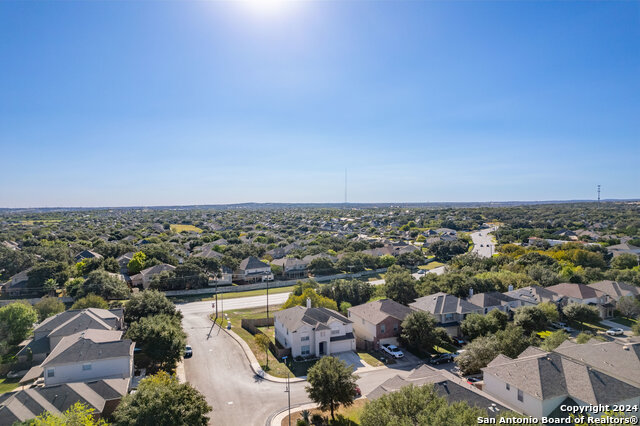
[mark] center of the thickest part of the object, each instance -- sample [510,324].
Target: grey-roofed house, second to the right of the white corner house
[449,310]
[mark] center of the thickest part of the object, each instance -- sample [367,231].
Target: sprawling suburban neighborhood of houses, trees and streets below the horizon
[231,307]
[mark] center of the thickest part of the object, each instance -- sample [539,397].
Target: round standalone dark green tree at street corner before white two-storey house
[331,384]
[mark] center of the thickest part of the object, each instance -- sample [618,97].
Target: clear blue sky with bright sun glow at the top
[116,103]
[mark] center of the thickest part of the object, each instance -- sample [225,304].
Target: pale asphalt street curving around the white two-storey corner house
[220,370]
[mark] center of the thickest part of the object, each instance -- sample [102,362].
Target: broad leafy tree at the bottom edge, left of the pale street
[161,400]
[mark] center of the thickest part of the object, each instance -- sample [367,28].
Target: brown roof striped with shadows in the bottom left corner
[103,396]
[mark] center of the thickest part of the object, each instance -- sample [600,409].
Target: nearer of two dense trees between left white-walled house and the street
[160,339]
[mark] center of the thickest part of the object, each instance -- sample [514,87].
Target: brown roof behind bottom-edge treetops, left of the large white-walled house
[444,387]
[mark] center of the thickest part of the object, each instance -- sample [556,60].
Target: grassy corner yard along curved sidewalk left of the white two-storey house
[276,368]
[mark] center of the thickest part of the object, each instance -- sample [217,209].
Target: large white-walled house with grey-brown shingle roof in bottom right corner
[537,383]
